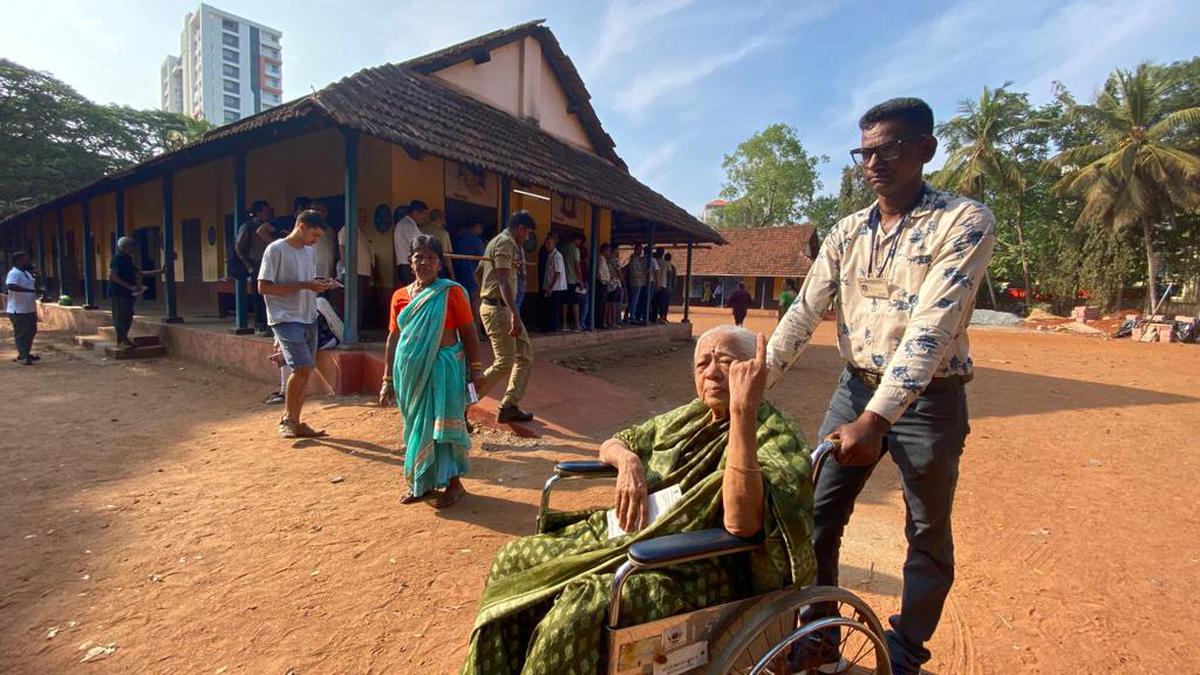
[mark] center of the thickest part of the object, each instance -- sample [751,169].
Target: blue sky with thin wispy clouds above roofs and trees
[677,83]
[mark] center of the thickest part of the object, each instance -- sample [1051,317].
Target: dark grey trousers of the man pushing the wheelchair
[926,445]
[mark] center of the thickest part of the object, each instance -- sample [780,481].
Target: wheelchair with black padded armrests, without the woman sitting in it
[837,631]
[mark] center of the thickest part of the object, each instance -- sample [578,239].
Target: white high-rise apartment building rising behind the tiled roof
[229,68]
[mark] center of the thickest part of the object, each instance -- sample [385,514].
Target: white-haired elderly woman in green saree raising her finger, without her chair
[741,464]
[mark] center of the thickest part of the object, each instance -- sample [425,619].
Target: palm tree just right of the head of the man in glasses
[981,140]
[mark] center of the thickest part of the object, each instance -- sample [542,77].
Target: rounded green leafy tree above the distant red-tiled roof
[770,180]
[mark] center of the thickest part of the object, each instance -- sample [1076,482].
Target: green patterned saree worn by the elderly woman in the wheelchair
[547,599]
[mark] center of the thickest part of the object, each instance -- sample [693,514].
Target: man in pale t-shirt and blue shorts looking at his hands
[289,283]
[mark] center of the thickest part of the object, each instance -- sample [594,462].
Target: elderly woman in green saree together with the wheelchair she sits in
[567,600]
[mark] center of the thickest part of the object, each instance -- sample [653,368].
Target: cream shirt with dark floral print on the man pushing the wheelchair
[920,331]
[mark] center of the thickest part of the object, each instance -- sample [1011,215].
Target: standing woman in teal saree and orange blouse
[431,337]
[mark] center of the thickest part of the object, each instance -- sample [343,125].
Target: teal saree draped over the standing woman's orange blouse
[431,393]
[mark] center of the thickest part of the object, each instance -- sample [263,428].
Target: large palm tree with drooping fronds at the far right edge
[1141,172]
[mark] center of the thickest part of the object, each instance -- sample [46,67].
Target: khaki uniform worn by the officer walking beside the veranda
[514,356]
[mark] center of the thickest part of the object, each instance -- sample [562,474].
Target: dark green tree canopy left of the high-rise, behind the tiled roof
[56,140]
